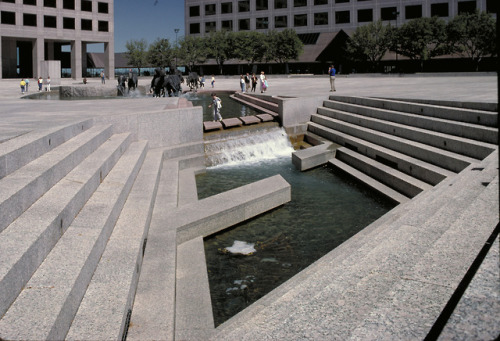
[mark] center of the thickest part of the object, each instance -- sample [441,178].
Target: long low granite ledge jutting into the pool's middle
[234,206]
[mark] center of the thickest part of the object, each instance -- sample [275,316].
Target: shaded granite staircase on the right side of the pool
[403,146]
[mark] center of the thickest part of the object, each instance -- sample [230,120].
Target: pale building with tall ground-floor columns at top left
[36,31]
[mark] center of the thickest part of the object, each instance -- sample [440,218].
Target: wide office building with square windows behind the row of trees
[317,22]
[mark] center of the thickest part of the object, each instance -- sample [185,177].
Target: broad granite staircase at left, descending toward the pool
[76,202]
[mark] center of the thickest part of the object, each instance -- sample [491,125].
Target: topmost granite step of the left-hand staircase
[19,151]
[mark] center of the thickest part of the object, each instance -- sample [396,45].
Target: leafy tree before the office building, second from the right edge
[421,39]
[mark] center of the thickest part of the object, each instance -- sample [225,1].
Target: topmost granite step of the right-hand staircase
[481,117]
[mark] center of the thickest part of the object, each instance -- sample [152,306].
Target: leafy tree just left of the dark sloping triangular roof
[284,46]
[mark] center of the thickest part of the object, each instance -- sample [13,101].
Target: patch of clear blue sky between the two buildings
[148,19]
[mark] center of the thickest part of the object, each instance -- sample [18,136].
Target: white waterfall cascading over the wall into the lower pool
[251,147]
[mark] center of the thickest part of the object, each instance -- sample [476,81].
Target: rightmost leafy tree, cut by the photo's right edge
[472,35]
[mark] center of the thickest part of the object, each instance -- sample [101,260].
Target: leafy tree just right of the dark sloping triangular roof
[370,43]
